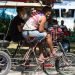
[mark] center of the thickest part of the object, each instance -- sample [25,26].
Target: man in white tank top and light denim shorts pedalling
[35,26]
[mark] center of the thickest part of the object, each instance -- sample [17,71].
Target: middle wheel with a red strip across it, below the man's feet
[49,67]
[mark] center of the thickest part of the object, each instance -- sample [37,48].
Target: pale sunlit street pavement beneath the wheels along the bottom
[70,71]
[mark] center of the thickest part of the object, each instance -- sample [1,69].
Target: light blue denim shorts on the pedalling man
[34,33]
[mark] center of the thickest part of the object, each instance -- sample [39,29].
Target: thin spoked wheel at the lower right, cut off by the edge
[65,65]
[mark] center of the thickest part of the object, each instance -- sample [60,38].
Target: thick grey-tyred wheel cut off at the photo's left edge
[5,63]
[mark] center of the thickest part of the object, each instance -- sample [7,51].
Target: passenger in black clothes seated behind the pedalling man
[16,25]
